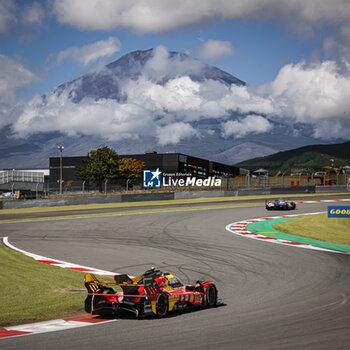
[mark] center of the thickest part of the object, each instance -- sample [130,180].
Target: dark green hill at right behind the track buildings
[307,157]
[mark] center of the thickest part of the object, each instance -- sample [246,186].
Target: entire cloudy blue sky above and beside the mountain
[270,44]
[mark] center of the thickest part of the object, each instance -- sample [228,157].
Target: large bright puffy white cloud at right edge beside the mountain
[316,94]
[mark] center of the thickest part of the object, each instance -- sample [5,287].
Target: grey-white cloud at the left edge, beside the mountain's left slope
[13,76]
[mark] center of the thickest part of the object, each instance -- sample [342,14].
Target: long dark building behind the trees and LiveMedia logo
[171,164]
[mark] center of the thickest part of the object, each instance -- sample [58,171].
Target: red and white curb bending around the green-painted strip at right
[239,228]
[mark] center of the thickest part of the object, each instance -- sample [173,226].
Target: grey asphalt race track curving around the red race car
[277,297]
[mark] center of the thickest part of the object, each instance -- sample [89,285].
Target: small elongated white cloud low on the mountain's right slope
[255,124]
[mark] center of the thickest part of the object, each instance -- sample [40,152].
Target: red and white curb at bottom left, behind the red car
[52,326]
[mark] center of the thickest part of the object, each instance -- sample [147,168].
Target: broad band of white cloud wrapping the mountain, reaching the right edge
[162,99]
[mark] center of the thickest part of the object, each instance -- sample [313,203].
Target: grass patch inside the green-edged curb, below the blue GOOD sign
[318,227]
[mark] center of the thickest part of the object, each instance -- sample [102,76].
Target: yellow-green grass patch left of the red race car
[29,290]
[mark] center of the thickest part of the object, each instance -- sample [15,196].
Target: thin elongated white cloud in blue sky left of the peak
[89,53]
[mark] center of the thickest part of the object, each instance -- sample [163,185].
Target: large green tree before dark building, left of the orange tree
[100,165]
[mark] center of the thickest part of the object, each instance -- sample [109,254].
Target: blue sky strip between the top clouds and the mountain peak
[260,49]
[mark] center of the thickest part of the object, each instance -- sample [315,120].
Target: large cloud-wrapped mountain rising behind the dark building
[147,101]
